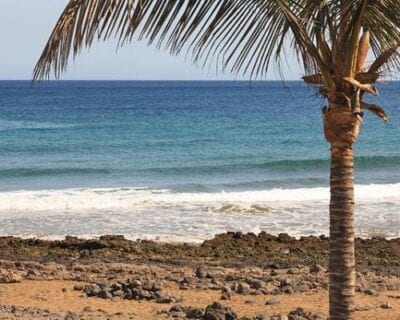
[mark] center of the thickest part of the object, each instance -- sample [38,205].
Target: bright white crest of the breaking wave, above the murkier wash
[135,198]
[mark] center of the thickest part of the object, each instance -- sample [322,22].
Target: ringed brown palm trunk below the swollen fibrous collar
[342,258]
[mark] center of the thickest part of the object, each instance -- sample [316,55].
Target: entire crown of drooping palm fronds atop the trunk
[241,36]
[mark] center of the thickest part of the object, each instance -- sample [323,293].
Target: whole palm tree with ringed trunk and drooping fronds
[331,38]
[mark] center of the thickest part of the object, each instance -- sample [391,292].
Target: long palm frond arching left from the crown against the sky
[243,34]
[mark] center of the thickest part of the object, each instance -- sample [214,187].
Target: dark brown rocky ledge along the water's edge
[258,249]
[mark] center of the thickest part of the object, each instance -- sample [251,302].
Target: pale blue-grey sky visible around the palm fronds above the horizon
[26,25]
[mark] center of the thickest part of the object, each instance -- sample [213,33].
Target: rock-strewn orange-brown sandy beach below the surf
[233,276]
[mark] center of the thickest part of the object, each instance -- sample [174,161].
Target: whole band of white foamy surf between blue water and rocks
[170,216]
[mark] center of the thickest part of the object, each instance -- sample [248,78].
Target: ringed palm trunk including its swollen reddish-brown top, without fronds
[341,128]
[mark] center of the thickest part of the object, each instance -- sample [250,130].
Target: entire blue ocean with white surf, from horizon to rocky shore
[183,160]
